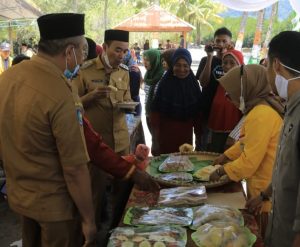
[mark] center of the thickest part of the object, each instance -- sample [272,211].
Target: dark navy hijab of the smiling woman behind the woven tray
[177,98]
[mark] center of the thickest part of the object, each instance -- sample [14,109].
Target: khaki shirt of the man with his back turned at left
[40,133]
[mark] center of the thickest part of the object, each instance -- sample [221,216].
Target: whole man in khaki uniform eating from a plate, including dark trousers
[99,102]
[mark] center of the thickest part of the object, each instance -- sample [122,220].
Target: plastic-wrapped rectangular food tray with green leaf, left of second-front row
[158,216]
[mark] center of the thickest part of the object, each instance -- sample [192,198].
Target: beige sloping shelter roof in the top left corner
[17,9]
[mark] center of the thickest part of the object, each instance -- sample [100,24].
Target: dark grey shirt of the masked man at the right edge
[284,221]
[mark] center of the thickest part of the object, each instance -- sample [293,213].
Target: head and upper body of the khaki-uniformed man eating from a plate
[99,101]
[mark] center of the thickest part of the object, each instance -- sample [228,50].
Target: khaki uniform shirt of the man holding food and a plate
[104,115]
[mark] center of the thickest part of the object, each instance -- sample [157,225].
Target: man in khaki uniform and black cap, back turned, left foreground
[41,139]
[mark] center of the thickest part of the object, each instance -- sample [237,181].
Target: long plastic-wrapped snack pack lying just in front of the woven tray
[182,196]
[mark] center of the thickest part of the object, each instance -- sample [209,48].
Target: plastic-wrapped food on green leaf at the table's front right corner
[225,234]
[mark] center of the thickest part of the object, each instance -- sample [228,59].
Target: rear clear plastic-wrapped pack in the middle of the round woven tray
[176,163]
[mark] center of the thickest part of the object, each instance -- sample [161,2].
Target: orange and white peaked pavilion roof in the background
[155,19]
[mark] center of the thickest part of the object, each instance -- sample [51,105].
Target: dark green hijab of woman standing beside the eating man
[156,71]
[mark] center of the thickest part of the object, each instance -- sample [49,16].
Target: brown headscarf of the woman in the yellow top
[256,88]
